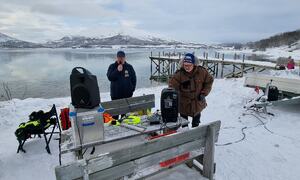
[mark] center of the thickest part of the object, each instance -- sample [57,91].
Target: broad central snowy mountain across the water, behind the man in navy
[81,41]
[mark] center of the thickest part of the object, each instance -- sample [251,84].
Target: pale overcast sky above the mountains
[210,21]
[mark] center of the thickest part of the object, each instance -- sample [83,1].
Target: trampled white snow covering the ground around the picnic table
[270,152]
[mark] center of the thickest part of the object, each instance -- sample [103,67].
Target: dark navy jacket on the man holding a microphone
[122,83]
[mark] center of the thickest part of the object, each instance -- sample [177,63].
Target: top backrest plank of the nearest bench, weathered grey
[121,156]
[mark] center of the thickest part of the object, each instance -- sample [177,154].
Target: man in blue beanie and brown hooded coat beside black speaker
[193,83]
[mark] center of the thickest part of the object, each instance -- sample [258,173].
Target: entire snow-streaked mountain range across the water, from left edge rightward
[88,42]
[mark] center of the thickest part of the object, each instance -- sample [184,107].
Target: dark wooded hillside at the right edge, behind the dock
[290,39]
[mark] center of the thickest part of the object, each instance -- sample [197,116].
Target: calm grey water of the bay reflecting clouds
[45,72]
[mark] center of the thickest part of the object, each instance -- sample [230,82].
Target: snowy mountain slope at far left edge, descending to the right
[10,42]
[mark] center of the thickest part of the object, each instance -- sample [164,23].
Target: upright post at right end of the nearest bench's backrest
[209,151]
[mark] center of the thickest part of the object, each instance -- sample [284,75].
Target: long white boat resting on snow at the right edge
[285,81]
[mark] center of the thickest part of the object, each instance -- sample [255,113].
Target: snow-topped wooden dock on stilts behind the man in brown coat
[162,67]
